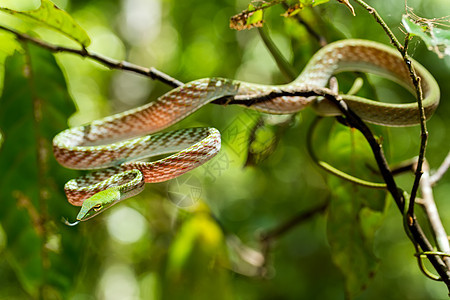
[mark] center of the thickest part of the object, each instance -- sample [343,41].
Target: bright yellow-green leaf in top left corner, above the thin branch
[48,14]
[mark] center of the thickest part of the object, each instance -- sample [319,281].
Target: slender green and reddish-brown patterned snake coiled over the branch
[119,148]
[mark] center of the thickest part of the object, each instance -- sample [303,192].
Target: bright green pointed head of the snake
[98,203]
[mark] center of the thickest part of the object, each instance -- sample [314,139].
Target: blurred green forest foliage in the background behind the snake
[197,237]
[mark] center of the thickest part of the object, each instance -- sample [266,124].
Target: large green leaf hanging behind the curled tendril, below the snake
[355,213]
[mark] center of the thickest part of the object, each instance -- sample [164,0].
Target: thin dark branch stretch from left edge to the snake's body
[106,61]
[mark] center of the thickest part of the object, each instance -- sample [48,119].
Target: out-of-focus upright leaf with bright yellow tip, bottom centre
[196,259]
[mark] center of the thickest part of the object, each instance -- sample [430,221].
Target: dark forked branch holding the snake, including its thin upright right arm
[352,119]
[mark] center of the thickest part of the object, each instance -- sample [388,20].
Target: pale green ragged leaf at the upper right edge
[436,39]
